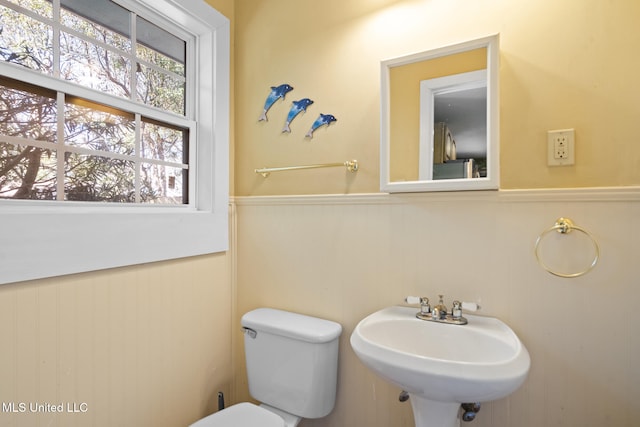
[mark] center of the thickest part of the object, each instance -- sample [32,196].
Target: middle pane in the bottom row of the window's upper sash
[92,66]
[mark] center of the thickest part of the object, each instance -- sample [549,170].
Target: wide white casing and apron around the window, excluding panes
[41,239]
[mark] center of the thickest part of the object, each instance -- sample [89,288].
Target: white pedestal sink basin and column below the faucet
[441,366]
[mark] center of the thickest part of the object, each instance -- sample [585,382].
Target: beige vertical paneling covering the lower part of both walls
[150,345]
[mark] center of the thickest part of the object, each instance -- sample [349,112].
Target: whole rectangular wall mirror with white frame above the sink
[439,119]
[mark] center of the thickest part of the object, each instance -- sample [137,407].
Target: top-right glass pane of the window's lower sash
[163,143]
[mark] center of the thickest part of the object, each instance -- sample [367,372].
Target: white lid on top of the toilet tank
[292,325]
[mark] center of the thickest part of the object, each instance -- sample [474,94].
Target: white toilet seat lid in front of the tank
[241,415]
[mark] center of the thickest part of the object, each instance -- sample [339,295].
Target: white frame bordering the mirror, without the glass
[492,180]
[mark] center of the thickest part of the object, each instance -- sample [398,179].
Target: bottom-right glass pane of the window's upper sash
[160,90]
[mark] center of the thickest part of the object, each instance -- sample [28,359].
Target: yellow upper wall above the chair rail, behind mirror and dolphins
[563,65]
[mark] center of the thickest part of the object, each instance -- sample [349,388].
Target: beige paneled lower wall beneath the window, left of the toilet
[146,345]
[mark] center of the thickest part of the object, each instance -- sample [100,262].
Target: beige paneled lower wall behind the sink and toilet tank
[344,257]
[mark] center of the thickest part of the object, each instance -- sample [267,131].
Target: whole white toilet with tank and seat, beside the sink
[292,367]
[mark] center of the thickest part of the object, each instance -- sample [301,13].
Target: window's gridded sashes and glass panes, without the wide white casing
[90,149]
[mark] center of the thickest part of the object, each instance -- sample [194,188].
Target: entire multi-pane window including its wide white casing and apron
[113,133]
